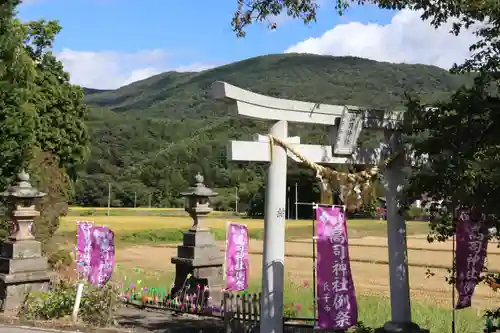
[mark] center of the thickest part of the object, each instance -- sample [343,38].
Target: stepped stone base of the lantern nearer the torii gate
[202,258]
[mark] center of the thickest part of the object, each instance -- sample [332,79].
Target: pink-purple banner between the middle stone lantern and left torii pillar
[237,263]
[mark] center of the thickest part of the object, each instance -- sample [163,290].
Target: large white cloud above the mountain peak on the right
[407,39]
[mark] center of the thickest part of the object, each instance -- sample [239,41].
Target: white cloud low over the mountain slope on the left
[111,70]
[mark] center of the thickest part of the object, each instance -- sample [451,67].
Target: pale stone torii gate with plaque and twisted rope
[344,135]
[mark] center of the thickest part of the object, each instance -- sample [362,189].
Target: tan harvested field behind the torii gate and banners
[369,278]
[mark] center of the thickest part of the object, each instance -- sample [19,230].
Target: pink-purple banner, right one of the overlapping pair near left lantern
[103,255]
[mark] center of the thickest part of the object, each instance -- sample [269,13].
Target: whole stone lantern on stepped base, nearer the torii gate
[199,261]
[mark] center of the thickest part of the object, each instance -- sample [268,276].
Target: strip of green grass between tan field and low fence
[374,311]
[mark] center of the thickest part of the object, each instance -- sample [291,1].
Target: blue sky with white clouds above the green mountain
[193,35]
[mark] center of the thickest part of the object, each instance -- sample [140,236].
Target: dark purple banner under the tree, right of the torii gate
[471,247]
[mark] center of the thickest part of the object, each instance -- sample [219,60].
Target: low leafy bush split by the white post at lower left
[97,306]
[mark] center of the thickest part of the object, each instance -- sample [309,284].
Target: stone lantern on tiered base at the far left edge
[22,266]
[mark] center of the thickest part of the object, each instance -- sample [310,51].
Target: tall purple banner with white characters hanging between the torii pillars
[337,306]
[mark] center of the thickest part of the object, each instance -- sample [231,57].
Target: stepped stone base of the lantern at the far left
[22,270]
